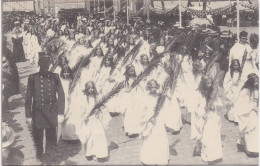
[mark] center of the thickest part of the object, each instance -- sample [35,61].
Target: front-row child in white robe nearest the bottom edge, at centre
[155,147]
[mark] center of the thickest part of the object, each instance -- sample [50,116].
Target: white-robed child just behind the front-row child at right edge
[232,86]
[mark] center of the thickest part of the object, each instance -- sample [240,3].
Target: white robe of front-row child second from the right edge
[206,129]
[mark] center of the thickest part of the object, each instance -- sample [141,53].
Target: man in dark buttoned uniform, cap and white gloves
[43,110]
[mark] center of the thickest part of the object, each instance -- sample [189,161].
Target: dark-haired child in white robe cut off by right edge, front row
[247,112]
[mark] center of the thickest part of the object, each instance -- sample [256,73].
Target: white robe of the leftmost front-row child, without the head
[92,131]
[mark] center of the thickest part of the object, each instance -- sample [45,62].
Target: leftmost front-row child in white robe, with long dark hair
[92,128]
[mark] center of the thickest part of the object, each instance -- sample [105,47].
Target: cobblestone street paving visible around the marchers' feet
[128,151]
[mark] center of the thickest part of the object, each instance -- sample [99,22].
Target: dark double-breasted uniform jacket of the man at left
[44,99]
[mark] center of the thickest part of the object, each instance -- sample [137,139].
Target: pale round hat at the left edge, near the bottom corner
[8,135]
